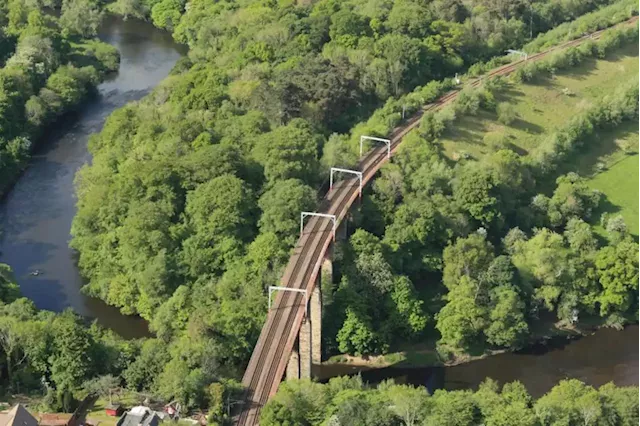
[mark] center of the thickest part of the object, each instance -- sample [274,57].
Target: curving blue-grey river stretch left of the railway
[35,217]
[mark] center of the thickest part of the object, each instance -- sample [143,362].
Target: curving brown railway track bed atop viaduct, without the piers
[271,354]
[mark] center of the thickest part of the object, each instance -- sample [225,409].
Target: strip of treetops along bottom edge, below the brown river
[348,402]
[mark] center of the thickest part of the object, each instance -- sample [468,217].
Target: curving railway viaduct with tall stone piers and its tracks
[290,338]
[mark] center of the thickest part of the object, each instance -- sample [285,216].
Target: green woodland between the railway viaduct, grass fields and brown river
[511,239]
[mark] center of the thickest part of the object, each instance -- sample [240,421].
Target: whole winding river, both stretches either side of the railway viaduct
[36,216]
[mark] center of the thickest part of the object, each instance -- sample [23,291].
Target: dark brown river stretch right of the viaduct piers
[606,356]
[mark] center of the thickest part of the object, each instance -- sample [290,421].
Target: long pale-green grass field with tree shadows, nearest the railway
[542,107]
